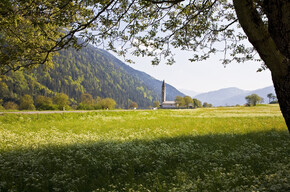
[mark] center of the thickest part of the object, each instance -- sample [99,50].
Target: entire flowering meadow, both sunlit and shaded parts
[213,149]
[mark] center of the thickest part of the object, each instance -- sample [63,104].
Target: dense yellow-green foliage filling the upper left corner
[33,31]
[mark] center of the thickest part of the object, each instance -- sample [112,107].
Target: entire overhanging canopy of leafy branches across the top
[34,30]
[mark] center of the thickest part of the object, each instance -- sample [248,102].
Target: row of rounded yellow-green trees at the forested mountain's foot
[60,101]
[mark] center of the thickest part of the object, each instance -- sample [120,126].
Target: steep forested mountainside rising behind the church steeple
[89,70]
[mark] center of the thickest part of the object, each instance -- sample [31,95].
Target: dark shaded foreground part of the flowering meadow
[254,161]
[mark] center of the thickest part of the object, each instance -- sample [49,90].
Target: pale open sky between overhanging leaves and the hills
[207,75]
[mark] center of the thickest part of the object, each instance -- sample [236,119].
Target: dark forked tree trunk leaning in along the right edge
[272,42]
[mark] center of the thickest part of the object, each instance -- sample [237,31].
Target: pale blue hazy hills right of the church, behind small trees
[232,96]
